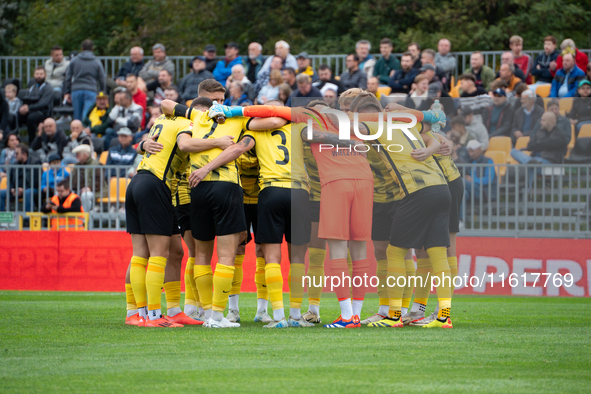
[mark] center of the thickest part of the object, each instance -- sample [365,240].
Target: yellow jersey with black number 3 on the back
[281,158]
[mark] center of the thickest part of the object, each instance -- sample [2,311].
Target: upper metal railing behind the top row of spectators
[22,67]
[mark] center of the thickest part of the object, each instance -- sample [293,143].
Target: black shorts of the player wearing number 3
[283,211]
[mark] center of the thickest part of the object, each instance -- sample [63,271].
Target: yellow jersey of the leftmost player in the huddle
[170,160]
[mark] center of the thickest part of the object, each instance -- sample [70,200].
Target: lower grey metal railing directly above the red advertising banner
[555,205]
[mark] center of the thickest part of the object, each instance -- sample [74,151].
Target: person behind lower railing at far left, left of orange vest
[23,182]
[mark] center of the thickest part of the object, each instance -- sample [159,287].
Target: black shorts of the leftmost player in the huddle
[148,206]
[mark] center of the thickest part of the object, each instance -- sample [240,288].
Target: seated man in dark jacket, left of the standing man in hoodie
[37,103]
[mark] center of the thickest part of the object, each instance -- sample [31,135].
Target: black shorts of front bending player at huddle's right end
[422,219]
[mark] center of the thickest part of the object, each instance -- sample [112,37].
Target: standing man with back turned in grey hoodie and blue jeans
[83,75]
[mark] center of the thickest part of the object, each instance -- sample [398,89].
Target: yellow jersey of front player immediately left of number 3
[204,127]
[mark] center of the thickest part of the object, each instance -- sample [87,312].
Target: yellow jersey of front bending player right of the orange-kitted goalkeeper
[412,175]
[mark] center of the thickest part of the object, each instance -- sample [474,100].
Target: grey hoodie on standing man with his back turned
[84,73]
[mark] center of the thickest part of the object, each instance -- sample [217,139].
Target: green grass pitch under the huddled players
[77,342]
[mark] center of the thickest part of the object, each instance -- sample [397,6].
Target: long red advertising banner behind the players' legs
[97,261]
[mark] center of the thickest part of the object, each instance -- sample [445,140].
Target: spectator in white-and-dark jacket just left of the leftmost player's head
[125,113]
